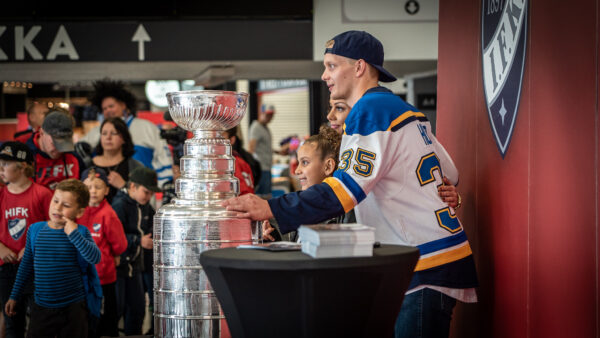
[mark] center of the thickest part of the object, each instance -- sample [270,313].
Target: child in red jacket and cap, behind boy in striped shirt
[107,231]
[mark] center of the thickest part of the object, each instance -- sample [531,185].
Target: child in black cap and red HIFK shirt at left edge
[22,203]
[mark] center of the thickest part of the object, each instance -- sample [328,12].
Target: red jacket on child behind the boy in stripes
[107,232]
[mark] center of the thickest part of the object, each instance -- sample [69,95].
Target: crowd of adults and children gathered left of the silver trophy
[103,190]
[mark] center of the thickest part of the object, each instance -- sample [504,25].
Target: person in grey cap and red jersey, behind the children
[54,159]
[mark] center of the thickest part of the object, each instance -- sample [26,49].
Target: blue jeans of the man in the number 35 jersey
[425,314]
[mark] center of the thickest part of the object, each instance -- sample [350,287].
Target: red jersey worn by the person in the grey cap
[49,172]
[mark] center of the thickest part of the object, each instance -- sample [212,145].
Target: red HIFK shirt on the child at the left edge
[19,211]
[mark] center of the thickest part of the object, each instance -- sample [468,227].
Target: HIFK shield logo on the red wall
[503,49]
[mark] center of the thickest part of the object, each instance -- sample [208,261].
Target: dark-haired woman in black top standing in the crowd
[114,154]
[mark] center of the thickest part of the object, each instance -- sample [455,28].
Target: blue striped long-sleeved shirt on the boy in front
[53,262]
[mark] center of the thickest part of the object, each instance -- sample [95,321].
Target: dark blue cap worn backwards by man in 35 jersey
[360,45]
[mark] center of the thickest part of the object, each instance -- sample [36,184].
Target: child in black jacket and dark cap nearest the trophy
[136,214]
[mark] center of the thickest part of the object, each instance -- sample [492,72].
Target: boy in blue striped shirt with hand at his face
[53,254]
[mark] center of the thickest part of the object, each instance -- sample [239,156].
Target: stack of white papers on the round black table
[337,240]
